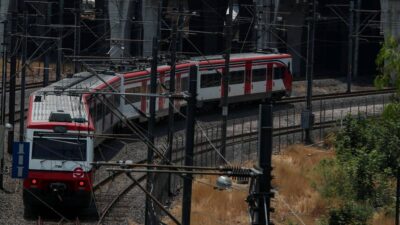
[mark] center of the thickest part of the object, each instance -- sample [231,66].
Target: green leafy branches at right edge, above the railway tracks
[388,62]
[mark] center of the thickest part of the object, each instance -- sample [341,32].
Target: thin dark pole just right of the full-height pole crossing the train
[171,114]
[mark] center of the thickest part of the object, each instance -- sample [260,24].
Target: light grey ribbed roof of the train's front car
[56,98]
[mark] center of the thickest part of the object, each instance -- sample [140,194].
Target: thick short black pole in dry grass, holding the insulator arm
[265,142]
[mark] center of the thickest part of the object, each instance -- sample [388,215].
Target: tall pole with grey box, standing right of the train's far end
[307,115]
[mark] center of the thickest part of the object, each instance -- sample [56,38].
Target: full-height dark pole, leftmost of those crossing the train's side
[149,220]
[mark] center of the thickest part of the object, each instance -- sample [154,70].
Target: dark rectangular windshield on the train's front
[59,149]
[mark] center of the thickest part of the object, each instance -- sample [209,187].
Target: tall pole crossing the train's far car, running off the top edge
[226,78]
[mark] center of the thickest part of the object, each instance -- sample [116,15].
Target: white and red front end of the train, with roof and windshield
[60,173]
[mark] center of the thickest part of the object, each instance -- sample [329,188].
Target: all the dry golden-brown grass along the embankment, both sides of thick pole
[293,172]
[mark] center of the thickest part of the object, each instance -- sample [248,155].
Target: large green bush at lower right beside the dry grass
[362,174]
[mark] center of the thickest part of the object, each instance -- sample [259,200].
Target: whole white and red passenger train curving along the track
[61,151]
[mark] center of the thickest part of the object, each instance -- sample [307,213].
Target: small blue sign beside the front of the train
[20,164]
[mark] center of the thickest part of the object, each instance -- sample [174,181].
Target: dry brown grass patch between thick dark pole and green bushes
[293,170]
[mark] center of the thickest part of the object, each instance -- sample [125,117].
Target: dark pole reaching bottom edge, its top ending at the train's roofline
[190,122]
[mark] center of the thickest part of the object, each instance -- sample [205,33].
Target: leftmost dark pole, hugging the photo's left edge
[4,76]
